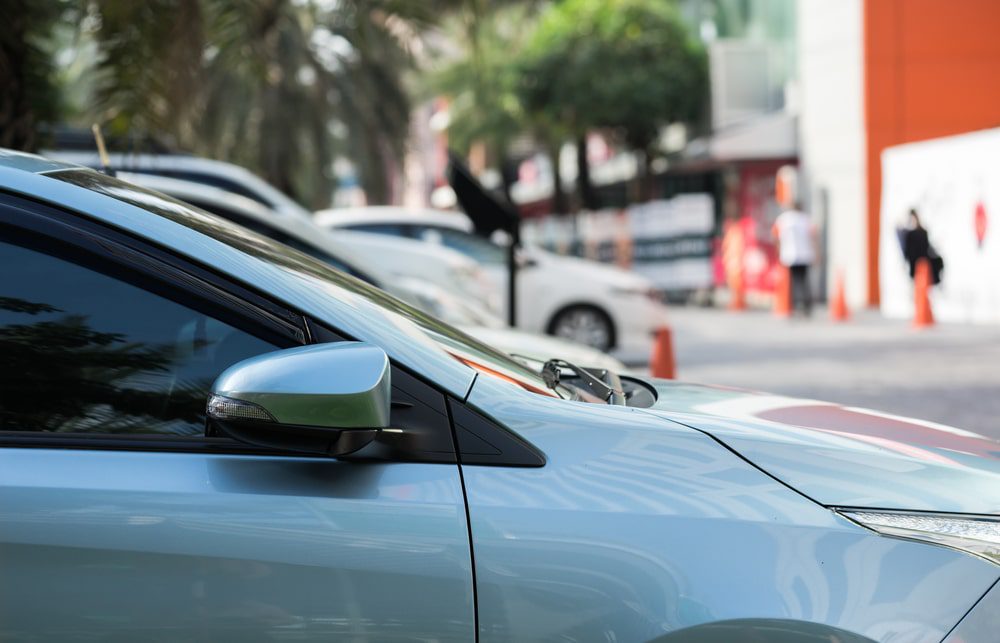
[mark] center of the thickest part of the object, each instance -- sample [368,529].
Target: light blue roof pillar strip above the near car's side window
[348,312]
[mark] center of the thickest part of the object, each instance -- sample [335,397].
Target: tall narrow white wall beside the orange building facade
[832,131]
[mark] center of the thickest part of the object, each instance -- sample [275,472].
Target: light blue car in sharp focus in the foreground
[362,470]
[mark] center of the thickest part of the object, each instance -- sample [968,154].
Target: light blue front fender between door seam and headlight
[637,527]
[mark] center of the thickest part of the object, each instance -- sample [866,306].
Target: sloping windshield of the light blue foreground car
[460,346]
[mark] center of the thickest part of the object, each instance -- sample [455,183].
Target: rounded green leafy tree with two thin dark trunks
[629,67]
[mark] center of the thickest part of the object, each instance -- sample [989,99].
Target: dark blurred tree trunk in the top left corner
[29,95]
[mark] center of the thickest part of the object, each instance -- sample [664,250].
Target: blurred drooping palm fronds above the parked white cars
[280,86]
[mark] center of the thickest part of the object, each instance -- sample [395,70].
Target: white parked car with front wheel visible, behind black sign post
[589,302]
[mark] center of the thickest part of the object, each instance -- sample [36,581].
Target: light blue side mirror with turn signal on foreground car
[329,399]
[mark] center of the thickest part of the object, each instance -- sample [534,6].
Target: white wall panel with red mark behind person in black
[954,185]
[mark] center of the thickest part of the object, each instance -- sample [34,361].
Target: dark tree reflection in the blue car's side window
[62,375]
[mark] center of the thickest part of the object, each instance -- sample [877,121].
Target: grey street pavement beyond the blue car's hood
[949,373]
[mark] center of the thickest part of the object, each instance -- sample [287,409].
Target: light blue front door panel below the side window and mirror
[188,546]
